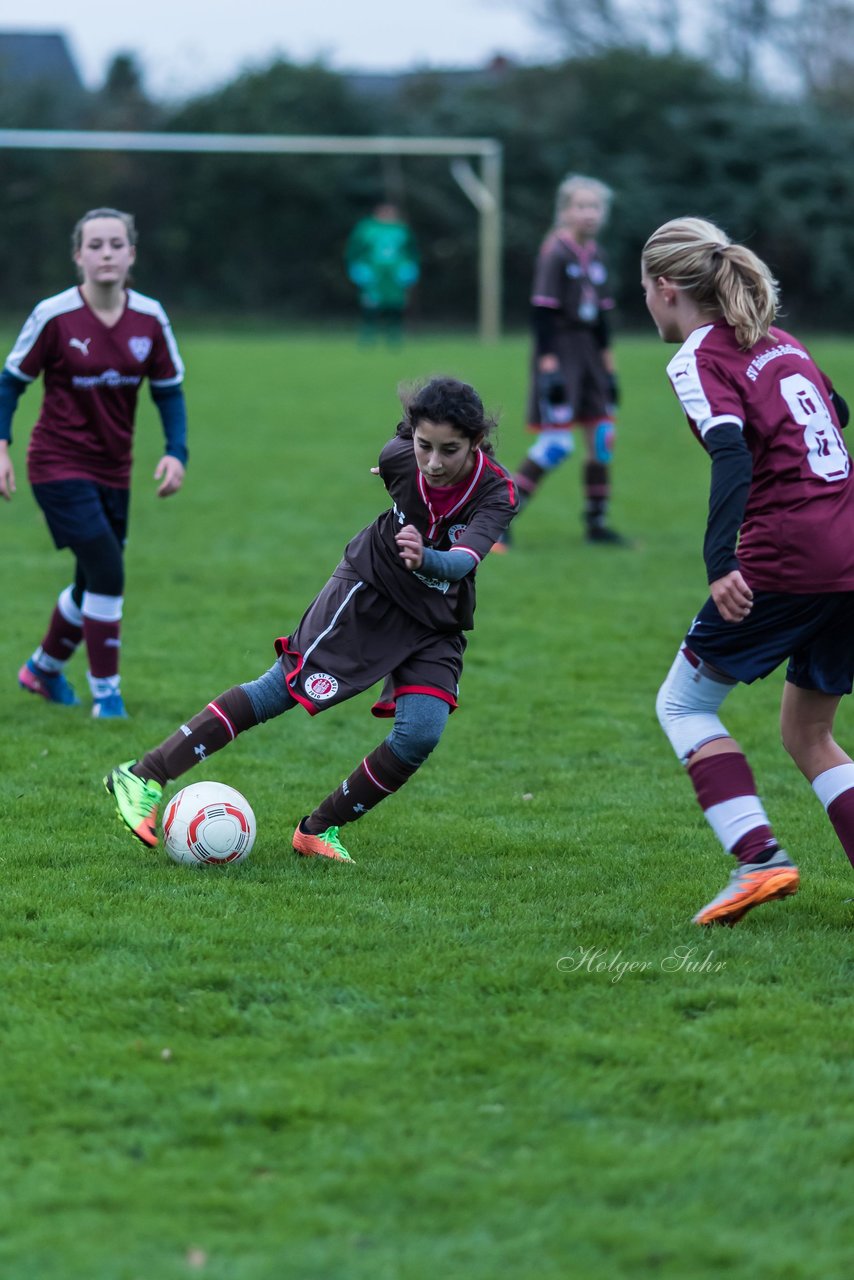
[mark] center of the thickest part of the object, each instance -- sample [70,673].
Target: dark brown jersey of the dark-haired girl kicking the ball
[471,519]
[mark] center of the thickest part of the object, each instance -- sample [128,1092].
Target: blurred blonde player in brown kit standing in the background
[573,377]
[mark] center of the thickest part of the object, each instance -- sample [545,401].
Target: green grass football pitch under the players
[495,1048]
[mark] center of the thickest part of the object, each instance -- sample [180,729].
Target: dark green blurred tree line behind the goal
[264,236]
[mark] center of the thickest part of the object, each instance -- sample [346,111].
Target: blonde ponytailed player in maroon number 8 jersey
[779,548]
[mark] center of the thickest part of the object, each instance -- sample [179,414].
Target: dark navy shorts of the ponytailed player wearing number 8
[815,633]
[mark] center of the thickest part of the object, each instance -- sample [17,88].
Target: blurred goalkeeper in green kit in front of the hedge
[383,264]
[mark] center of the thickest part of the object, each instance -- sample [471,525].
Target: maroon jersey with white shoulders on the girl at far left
[93,376]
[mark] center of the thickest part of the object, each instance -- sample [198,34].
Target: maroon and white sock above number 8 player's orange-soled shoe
[728,780]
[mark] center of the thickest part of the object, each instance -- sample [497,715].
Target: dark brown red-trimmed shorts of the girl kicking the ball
[353,636]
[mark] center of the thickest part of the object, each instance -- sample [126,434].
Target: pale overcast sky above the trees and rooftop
[190,45]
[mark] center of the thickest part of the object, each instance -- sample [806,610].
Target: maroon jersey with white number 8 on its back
[798,528]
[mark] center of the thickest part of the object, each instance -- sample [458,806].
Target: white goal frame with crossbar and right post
[485,189]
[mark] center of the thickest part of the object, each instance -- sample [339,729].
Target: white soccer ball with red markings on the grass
[208,824]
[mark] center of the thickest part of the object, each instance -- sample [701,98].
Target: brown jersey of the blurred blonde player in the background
[572,280]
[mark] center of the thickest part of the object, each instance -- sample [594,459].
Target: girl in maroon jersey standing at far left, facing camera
[94,344]
